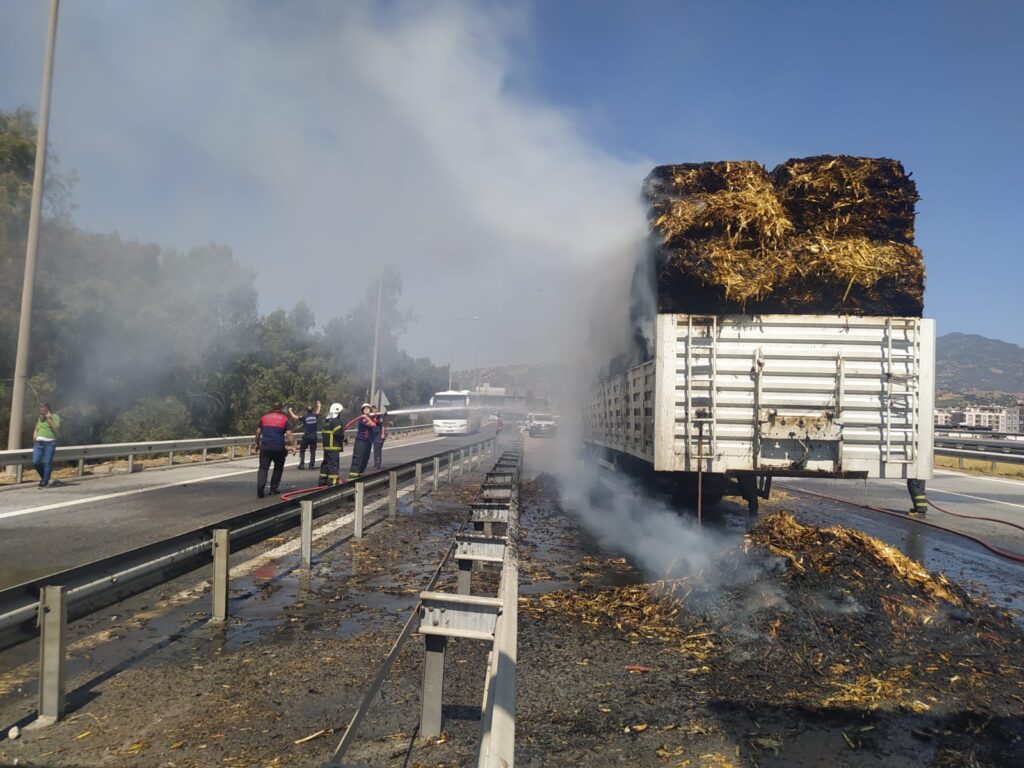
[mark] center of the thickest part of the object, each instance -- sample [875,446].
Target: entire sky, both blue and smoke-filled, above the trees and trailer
[494,151]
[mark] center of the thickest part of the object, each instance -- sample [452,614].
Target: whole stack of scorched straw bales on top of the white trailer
[818,236]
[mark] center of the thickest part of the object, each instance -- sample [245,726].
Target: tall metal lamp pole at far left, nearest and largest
[28,286]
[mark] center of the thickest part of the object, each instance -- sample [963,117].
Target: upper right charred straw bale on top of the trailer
[843,196]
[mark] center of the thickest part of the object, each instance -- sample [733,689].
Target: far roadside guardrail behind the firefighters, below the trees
[22,458]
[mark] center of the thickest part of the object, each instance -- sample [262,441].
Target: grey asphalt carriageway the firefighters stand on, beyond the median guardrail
[45,532]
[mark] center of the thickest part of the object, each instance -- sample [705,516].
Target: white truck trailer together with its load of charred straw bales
[787,337]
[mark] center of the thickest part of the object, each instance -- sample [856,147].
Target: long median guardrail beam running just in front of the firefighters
[95,586]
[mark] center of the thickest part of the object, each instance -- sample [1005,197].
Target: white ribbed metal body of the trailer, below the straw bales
[794,394]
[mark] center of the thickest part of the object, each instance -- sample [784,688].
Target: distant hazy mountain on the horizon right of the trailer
[968,362]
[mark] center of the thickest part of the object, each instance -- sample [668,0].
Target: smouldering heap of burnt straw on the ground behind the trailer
[801,647]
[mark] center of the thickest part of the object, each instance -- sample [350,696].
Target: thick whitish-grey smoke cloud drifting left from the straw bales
[323,140]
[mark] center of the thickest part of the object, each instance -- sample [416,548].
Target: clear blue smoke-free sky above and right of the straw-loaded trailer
[938,86]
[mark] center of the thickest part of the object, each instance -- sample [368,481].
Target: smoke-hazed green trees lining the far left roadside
[133,342]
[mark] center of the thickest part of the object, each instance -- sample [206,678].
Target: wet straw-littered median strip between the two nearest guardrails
[156,684]
